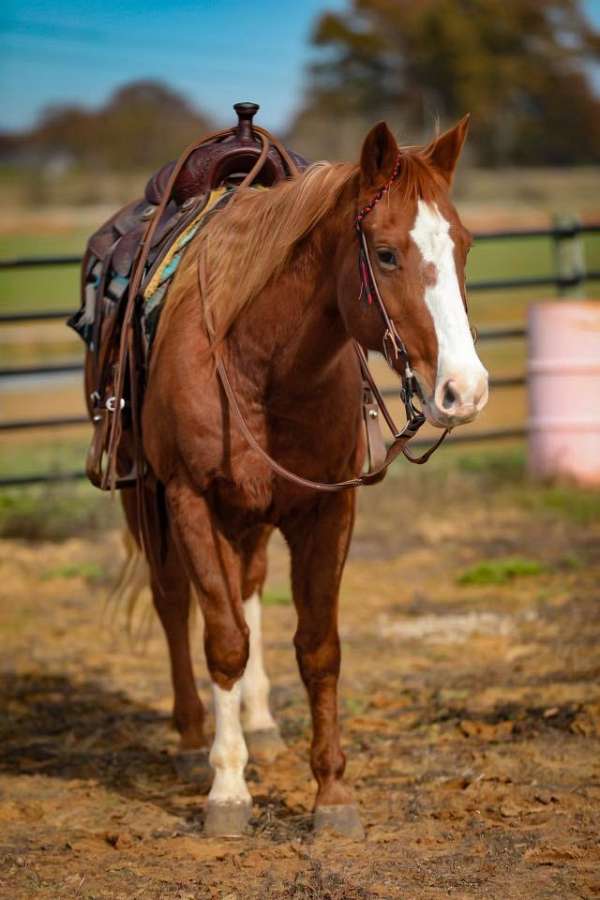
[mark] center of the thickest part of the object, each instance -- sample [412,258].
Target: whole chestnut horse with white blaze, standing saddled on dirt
[271,288]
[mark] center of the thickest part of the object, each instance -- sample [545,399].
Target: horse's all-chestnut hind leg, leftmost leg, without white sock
[171,595]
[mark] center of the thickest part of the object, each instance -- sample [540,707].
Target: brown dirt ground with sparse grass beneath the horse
[471,721]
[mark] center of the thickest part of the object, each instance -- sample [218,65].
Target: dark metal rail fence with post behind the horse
[570,275]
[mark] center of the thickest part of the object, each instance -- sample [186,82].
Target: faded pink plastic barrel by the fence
[564,390]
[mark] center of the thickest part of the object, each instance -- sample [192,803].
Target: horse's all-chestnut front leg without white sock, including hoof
[319,545]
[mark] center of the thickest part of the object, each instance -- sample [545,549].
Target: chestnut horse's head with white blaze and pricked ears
[417,248]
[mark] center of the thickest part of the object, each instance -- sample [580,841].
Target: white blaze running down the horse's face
[456,352]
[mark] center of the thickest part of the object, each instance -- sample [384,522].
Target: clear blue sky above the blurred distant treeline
[215,51]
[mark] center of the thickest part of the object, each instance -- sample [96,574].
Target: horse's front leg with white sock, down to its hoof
[215,570]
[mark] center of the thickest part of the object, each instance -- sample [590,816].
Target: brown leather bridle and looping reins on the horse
[394,351]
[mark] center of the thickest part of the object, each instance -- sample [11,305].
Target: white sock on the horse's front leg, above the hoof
[228,755]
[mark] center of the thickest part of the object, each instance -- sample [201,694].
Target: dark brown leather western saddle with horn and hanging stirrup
[128,249]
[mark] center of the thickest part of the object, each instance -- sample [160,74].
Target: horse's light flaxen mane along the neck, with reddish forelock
[251,240]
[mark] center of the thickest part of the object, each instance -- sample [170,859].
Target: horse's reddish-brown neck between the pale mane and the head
[292,334]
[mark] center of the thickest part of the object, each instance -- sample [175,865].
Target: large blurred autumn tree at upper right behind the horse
[519,66]
